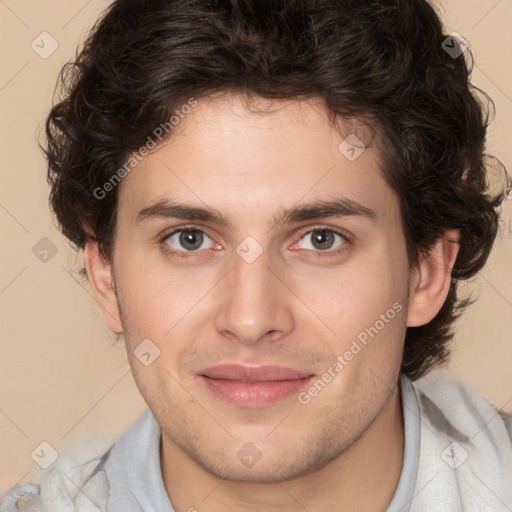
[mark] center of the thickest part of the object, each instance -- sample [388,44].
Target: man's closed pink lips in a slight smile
[252,387]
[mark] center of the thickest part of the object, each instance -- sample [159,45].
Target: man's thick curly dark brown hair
[380,60]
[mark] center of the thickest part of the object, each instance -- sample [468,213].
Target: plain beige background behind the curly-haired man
[62,377]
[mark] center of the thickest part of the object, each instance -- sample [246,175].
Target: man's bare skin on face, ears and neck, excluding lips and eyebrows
[290,307]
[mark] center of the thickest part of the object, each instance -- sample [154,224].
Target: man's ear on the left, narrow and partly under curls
[99,271]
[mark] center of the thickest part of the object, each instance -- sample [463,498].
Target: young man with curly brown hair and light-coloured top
[276,201]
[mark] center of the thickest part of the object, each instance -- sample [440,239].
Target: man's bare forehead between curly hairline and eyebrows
[258,158]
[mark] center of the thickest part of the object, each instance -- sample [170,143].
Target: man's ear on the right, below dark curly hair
[430,281]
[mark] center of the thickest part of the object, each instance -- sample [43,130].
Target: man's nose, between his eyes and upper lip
[254,302]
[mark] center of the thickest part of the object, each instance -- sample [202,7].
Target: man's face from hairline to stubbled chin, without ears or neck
[298,293]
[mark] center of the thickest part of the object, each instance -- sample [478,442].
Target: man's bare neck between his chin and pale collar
[363,477]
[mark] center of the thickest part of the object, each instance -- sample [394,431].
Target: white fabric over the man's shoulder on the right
[465,452]
